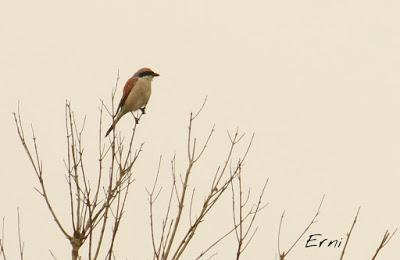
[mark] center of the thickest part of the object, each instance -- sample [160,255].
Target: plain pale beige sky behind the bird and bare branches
[317,81]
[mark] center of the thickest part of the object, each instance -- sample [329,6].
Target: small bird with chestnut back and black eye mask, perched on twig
[136,95]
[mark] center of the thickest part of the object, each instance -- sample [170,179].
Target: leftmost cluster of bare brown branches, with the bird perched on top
[89,208]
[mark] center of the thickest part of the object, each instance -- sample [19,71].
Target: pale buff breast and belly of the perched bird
[139,96]
